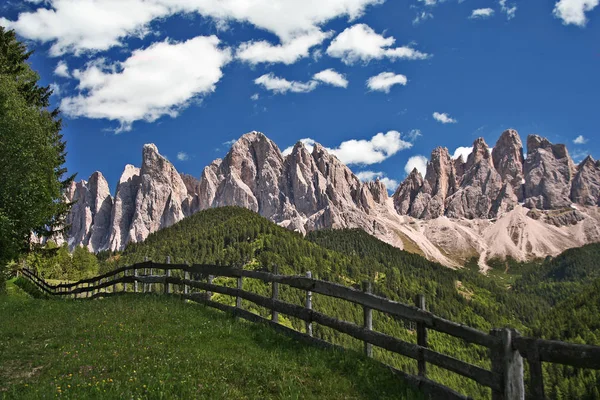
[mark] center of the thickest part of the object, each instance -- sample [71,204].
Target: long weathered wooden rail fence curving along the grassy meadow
[506,347]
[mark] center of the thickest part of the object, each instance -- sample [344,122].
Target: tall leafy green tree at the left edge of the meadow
[33,154]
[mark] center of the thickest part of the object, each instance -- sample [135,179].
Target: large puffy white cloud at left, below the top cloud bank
[159,80]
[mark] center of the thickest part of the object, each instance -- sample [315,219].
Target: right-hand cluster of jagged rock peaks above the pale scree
[489,185]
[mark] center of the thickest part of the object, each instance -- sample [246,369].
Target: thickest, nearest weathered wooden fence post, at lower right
[508,364]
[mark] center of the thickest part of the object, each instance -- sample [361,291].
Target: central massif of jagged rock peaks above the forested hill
[303,191]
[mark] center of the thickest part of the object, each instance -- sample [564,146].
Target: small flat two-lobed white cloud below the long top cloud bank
[279,85]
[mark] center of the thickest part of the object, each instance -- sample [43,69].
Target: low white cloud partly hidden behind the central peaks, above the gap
[363,152]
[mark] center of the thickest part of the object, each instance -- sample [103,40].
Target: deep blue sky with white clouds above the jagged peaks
[381,83]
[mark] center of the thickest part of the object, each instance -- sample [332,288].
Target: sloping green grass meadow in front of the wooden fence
[152,347]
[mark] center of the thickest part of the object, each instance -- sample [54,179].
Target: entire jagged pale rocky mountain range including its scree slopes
[498,203]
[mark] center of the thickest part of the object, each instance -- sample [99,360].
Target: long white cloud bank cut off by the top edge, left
[78,26]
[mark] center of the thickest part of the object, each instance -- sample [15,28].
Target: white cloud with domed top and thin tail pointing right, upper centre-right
[361,43]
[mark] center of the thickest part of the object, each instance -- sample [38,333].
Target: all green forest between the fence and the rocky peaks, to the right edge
[510,295]
